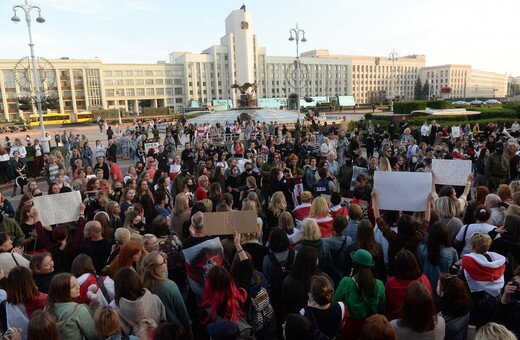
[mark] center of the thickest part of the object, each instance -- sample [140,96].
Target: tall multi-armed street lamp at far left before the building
[26,8]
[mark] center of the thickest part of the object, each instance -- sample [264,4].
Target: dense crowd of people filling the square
[325,261]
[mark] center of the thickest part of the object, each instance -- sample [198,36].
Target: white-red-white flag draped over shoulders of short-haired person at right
[482,274]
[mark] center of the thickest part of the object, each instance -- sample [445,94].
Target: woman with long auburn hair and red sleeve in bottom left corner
[23,298]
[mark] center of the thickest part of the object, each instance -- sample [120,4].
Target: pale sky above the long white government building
[480,33]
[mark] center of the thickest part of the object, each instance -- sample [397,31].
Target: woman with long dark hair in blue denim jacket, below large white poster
[437,256]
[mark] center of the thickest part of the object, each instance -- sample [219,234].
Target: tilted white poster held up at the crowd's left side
[58,208]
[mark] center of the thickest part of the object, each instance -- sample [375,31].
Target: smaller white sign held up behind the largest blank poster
[451,171]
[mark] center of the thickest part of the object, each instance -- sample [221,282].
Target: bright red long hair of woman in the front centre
[220,289]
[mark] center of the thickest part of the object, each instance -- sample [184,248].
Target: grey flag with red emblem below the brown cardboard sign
[199,260]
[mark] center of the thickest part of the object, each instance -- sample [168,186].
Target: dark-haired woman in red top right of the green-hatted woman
[406,270]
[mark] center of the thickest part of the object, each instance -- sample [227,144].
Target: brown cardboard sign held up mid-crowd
[227,222]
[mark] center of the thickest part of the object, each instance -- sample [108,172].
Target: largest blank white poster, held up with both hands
[405,191]
